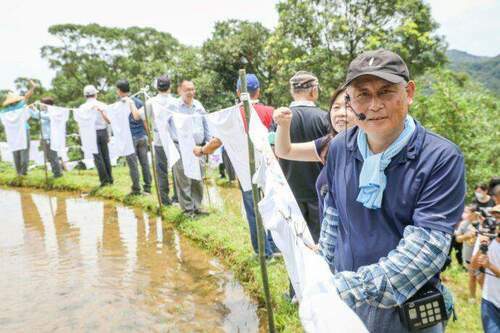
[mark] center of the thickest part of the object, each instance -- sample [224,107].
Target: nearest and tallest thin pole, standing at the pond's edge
[256,199]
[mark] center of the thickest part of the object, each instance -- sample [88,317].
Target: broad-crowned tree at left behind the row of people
[93,54]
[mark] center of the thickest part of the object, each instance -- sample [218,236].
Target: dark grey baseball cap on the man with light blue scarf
[381,63]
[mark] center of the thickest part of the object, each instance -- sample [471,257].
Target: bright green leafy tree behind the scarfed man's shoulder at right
[464,112]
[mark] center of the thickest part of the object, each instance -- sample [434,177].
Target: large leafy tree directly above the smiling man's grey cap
[323,36]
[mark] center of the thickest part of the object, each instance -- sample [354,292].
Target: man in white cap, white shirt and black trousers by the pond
[101,159]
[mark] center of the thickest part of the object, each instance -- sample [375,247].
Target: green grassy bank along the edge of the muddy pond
[224,233]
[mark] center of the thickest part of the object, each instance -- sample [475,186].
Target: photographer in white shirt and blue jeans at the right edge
[486,258]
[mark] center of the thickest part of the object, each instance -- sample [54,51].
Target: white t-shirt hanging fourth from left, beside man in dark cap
[118,114]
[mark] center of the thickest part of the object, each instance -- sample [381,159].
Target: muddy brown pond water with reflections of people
[70,264]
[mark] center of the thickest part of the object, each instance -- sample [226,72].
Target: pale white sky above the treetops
[469,25]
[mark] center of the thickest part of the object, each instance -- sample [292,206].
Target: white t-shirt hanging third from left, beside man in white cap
[85,117]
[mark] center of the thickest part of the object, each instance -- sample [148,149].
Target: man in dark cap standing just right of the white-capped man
[140,141]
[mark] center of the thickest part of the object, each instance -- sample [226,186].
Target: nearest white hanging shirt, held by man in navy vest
[309,273]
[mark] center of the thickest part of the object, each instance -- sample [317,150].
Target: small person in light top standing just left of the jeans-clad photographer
[466,234]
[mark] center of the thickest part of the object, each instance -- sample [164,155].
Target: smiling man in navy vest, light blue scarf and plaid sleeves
[395,193]
